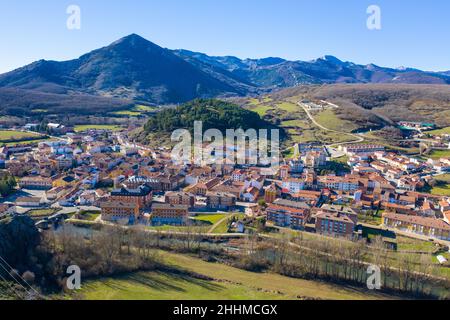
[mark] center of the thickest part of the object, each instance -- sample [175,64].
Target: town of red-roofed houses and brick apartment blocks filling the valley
[98,175]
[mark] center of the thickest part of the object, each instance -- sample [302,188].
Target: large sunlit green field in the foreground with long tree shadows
[226,283]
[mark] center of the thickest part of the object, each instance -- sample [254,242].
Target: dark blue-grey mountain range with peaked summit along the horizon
[134,68]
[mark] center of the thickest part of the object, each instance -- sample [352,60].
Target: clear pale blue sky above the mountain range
[414,33]
